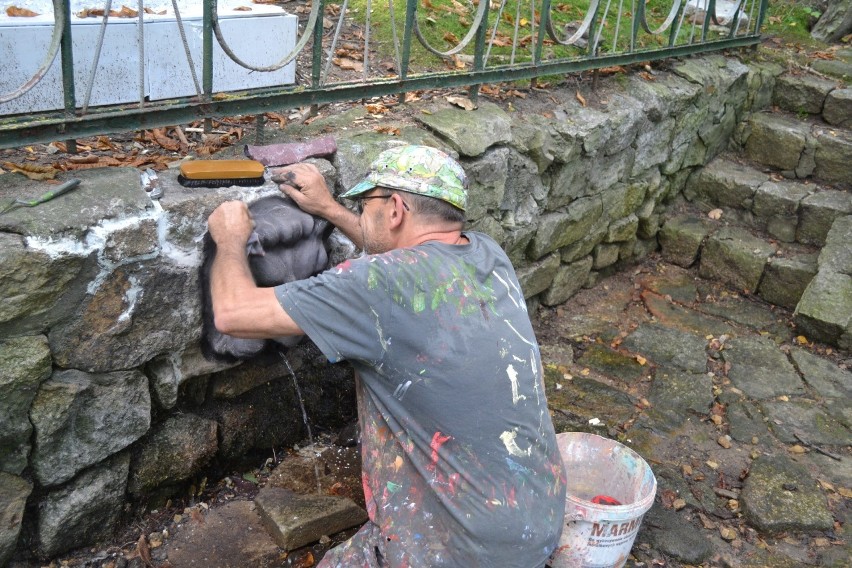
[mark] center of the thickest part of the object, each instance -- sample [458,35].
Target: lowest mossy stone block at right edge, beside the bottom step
[825,311]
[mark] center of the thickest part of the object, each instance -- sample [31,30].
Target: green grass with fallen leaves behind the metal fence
[443,24]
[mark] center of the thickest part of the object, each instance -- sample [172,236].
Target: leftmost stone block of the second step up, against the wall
[727,183]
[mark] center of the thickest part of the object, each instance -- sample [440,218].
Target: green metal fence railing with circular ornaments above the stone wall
[364,48]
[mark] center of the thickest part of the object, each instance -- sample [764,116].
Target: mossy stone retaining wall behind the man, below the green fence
[107,399]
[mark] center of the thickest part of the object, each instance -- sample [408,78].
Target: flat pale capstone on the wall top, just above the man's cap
[470,133]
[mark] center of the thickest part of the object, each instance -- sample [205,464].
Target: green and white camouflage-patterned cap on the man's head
[417,169]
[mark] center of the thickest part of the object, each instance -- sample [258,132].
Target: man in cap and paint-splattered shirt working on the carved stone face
[460,463]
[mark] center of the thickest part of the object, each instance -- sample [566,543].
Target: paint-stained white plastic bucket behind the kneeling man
[597,535]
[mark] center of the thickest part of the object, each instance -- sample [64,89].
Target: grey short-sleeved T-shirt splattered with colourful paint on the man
[460,463]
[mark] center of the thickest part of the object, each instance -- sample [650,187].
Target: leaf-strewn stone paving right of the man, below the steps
[745,423]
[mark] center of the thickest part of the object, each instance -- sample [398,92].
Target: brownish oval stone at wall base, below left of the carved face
[173,451]
